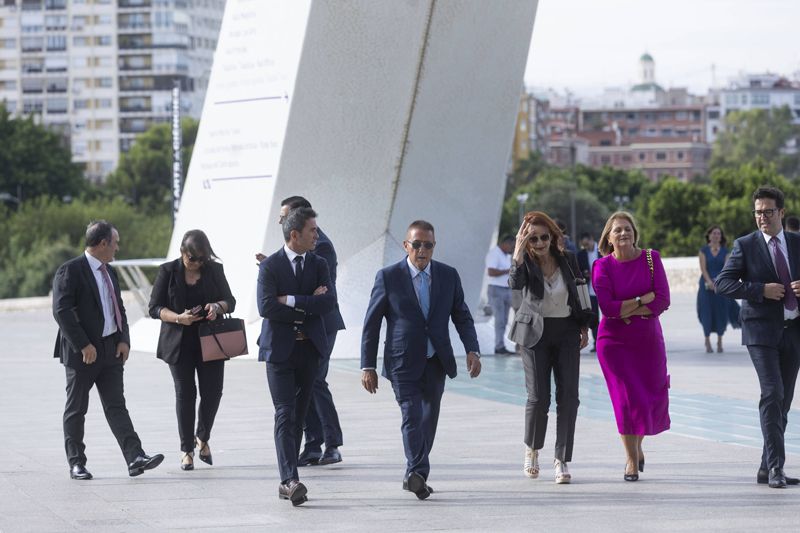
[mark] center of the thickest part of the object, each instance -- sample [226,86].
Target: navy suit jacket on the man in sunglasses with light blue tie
[407,330]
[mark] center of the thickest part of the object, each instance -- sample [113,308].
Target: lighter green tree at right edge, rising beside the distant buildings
[758,134]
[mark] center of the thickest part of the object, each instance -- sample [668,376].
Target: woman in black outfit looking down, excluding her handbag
[188,290]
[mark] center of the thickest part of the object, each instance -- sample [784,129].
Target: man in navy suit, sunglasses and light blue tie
[418,298]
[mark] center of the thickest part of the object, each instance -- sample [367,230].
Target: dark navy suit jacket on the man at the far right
[748,268]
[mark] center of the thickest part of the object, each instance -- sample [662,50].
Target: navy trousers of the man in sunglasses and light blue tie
[420,402]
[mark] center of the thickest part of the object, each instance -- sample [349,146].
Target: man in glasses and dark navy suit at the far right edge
[761,271]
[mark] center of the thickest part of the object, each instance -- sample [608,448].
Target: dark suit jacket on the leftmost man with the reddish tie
[79,312]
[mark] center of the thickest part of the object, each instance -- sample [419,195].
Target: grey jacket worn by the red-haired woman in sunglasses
[528,324]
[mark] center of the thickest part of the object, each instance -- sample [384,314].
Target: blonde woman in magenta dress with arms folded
[632,291]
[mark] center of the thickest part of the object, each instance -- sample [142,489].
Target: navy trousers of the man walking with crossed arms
[290,385]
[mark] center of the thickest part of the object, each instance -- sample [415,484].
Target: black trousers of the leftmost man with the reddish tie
[107,374]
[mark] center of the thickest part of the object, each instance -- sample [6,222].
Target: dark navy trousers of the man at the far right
[777,375]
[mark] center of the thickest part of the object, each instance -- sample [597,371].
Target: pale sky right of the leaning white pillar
[585,45]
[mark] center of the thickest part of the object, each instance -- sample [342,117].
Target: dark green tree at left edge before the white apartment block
[35,161]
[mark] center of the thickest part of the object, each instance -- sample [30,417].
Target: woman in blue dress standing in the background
[712,308]
